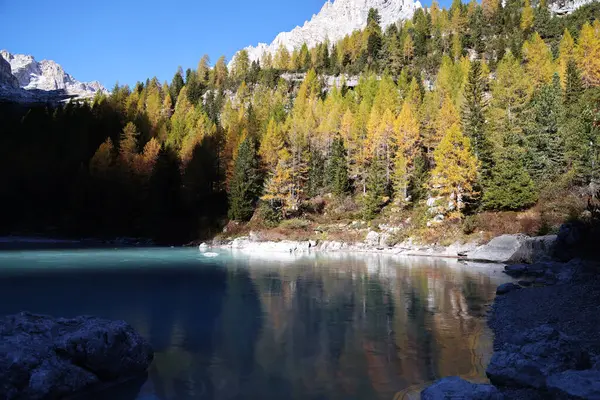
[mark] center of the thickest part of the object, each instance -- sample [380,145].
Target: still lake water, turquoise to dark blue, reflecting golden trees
[277,327]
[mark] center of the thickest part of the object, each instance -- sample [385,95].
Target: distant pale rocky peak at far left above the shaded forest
[47,76]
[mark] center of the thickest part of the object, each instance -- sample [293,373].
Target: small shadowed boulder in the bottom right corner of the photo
[575,385]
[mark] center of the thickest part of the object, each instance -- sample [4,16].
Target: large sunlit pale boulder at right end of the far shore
[515,249]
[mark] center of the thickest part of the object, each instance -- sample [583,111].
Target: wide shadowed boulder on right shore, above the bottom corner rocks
[530,357]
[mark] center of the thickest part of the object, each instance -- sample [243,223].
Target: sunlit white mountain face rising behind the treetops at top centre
[336,20]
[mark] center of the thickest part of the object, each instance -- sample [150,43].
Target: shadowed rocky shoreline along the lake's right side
[547,335]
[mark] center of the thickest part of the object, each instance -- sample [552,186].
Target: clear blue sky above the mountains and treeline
[131,40]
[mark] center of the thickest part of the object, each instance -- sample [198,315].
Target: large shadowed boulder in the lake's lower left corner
[46,358]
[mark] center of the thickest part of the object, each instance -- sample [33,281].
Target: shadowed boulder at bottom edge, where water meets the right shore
[456,388]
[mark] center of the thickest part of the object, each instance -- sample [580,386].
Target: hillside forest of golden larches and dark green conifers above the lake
[479,108]
